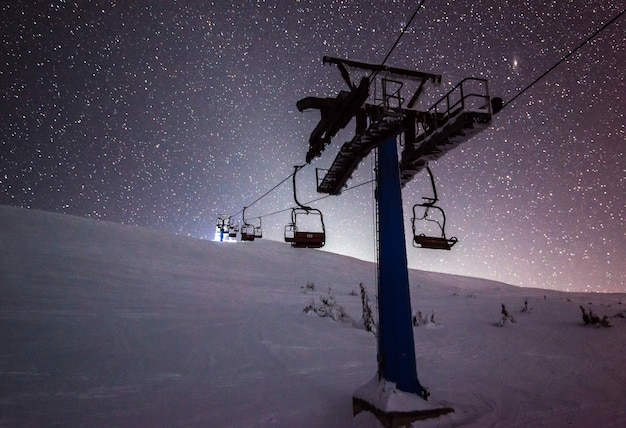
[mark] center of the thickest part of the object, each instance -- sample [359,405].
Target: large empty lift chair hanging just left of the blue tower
[298,238]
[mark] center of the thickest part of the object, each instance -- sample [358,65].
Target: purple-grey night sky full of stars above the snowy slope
[166,114]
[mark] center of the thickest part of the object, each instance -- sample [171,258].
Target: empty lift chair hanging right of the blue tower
[421,240]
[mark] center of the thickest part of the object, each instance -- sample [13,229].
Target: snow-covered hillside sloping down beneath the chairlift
[110,325]
